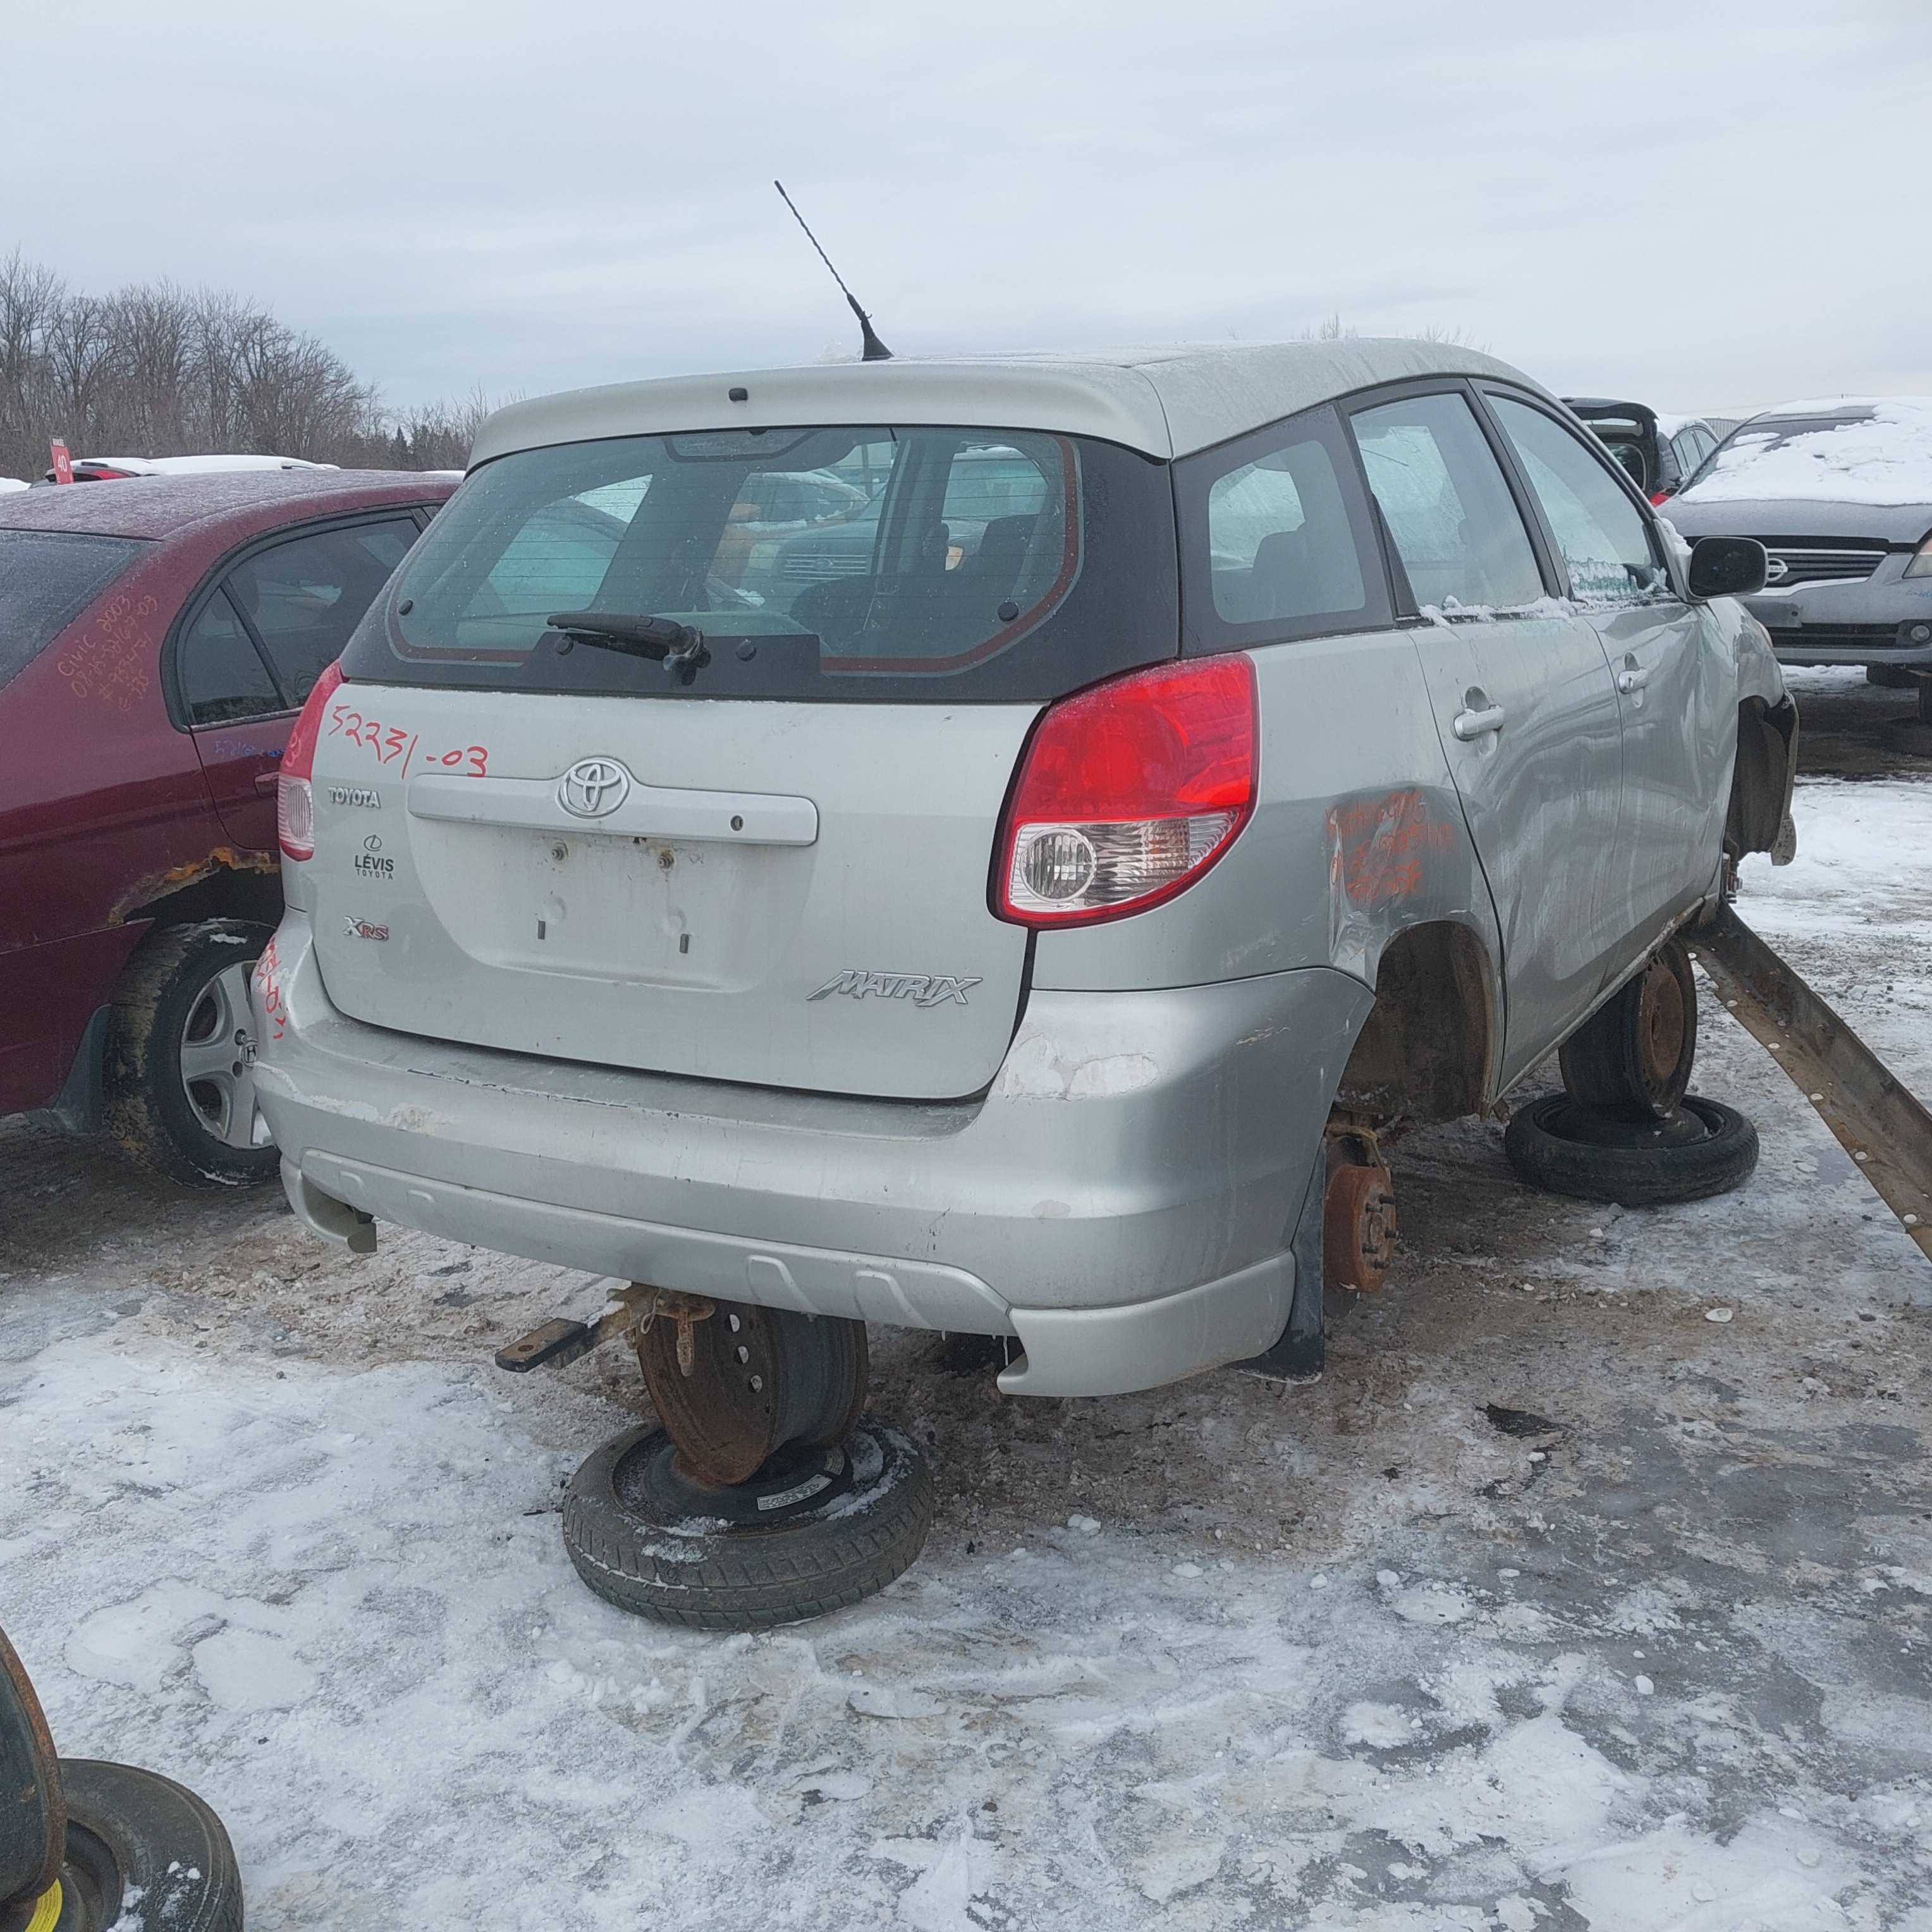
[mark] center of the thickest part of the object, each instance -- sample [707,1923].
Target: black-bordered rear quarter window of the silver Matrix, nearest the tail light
[1278,540]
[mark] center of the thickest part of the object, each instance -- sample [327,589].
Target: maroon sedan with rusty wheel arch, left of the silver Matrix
[157,639]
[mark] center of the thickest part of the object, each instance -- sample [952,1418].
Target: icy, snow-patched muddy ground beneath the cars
[1218,1657]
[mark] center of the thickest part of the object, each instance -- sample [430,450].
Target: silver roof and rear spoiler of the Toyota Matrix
[1164,403]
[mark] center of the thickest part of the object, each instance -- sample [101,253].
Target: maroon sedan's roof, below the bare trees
[171,507]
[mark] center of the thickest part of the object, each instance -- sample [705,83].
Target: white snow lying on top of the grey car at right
[1883,461]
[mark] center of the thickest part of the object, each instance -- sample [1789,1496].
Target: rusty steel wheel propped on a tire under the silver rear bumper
[735,1384]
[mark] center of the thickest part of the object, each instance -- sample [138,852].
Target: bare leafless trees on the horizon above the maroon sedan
[159,370]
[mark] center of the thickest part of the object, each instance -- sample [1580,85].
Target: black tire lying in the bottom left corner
[138,1836]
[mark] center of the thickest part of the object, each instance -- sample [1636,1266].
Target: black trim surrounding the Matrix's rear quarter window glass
[1205,633]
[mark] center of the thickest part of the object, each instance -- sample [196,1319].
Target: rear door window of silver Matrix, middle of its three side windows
[1446,505]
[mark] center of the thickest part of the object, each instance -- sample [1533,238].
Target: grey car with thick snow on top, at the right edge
[1840,496]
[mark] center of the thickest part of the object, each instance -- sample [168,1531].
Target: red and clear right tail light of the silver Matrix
[1129,793]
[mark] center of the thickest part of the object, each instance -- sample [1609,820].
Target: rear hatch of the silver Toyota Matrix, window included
[764,868]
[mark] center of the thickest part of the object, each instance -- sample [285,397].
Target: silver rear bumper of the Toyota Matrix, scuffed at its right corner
[1120,1199]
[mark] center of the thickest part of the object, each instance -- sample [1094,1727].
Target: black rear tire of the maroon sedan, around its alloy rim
[148,1108]
